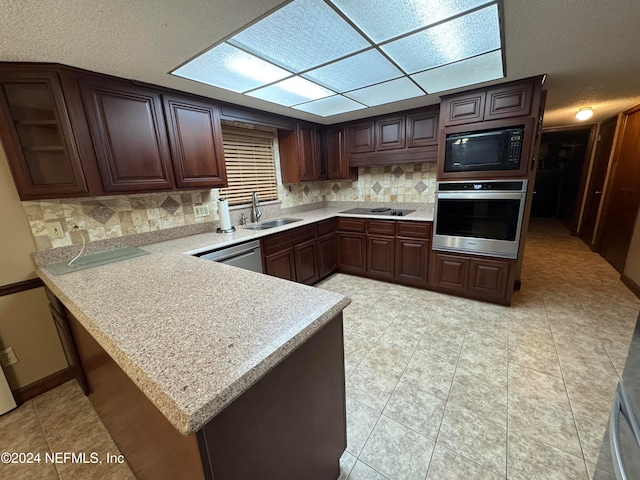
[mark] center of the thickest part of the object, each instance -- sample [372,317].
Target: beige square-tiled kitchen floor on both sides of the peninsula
[438,387]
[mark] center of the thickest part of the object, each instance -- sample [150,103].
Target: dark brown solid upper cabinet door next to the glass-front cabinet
[129,135]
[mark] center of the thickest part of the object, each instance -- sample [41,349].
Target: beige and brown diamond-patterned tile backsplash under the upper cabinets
[116,216]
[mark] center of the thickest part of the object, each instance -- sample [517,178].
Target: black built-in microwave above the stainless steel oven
[496,149]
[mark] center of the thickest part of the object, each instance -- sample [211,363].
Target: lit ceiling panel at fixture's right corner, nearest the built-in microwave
[482,68]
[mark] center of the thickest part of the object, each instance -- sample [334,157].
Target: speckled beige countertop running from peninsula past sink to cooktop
[192,334]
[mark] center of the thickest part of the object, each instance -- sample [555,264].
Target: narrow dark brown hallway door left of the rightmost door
[596,183]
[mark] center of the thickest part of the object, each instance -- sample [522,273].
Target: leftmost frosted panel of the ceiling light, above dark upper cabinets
[227,67]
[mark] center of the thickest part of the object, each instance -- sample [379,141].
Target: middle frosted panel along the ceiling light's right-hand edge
[472,34]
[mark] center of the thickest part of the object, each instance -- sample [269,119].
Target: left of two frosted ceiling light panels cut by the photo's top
[301,35]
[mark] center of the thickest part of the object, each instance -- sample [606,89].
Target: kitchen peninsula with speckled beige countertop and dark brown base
[195,366]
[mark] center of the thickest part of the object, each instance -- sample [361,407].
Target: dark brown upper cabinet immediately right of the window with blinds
[300,158]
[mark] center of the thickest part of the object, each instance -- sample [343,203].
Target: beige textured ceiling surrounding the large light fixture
[587,48]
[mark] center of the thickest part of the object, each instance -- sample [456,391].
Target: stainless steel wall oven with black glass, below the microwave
[480,217]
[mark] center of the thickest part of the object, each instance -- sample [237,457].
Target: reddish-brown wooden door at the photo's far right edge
[621,206]
